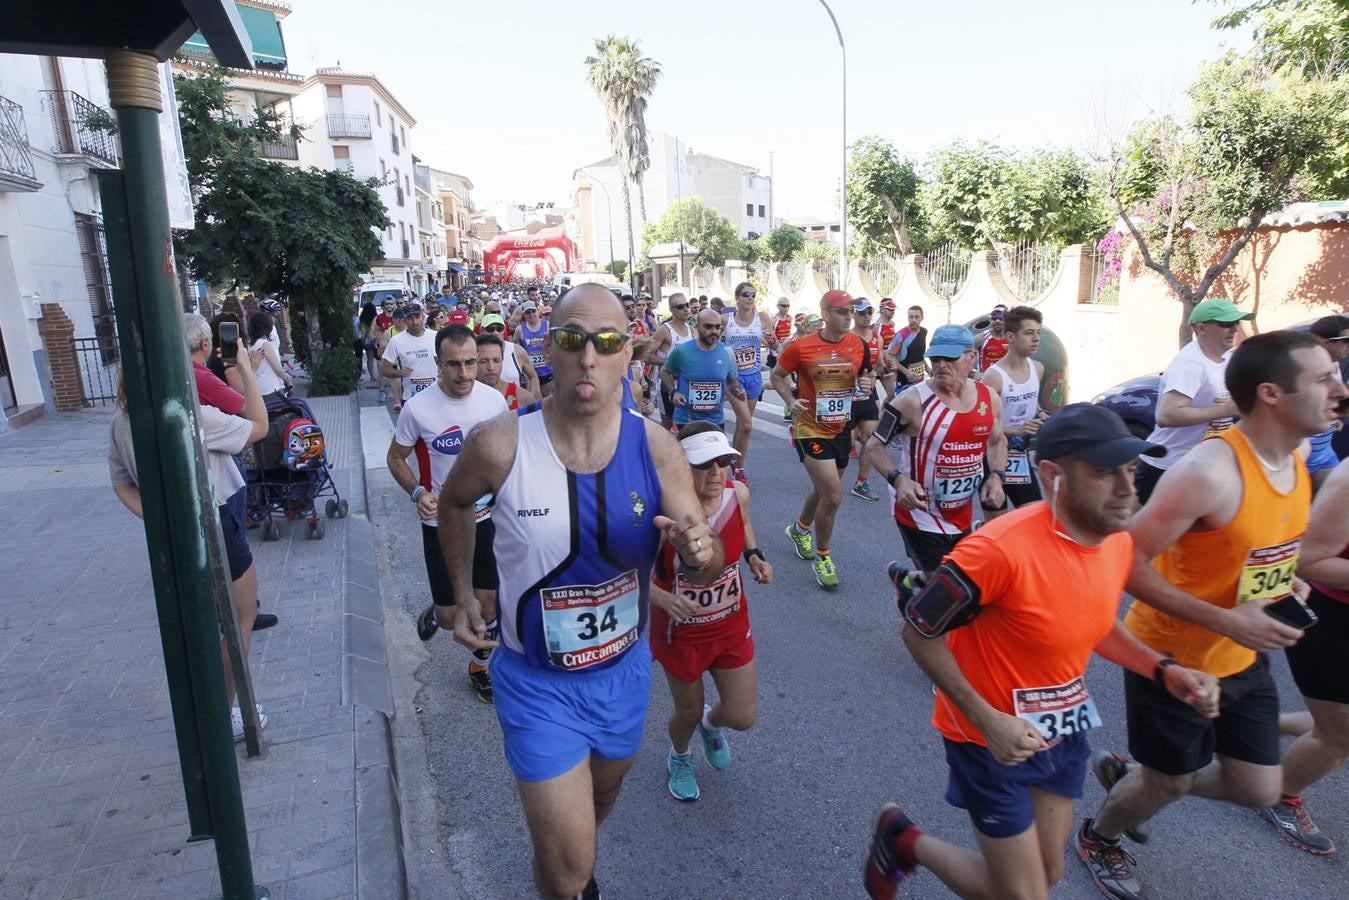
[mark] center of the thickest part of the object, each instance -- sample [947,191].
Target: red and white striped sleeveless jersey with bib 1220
[948,461]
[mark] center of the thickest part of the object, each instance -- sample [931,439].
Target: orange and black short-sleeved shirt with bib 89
[826,377]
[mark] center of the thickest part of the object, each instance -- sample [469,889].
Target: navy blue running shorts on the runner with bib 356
[999,797]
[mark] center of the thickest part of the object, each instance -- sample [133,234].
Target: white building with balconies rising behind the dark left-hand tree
[354,122]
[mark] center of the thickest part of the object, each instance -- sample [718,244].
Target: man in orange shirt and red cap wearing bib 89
[830,366]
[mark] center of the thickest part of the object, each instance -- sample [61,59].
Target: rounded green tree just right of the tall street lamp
[883,206]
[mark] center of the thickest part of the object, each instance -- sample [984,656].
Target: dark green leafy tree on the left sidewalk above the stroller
[303,235]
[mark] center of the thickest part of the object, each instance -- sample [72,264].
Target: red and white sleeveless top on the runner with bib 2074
[722,608]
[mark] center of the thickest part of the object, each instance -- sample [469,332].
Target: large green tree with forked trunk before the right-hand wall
[1193,192]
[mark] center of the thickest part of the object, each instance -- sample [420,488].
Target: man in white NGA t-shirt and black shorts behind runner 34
[436,423]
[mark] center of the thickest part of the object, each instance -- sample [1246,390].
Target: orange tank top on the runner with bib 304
[1251,558]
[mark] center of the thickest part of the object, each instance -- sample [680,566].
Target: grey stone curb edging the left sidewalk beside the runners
[381,870]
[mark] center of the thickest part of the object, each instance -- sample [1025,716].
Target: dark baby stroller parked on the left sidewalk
[291,472]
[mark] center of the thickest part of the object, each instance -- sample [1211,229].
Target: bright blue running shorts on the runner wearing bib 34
[551,721]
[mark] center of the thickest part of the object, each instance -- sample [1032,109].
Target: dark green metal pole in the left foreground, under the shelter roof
[163,407]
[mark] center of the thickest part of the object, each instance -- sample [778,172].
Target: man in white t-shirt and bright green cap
[1193,400]
